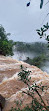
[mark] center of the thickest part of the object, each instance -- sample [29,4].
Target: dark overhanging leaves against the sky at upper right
[42,31]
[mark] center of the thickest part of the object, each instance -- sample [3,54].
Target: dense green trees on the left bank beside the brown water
[6,46]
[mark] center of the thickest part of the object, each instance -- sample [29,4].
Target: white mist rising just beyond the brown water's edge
[23,56]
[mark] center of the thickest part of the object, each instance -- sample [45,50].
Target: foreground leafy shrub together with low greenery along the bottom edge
[35,105]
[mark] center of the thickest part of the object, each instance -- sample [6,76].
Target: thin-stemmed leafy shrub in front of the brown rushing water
[34,88]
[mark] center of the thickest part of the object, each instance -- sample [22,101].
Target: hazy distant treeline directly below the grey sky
[36,47]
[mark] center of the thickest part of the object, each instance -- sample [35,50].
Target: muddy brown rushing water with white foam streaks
[10,85]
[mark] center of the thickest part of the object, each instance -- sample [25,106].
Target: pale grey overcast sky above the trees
[22,21]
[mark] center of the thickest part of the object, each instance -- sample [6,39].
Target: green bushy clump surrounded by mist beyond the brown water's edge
[37,61]
